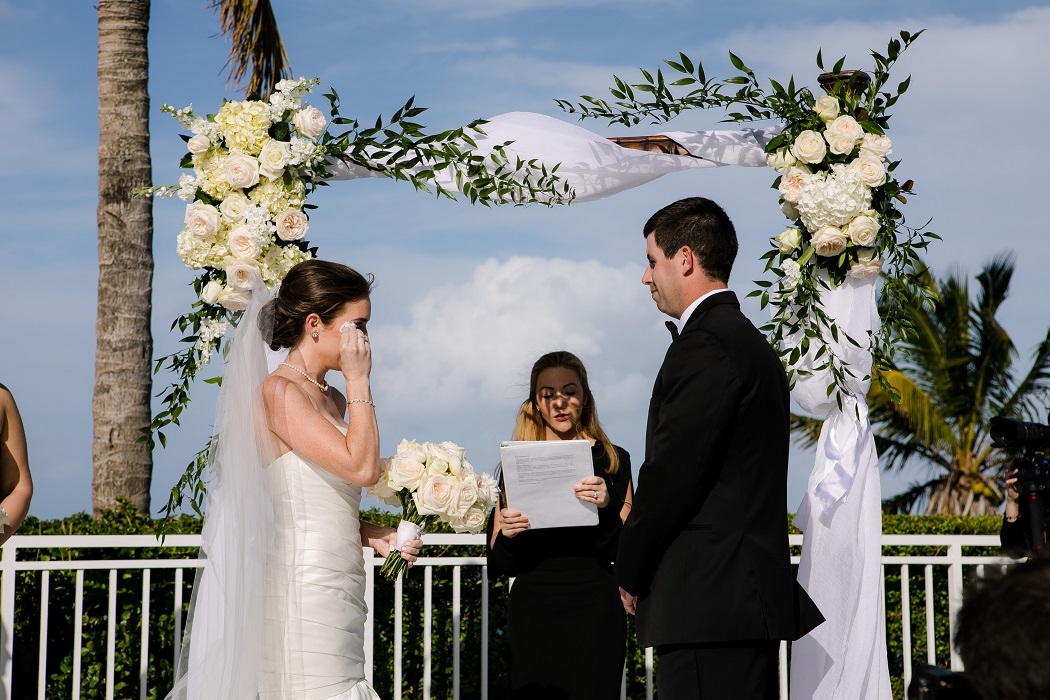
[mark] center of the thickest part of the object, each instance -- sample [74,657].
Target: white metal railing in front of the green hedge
[951,558]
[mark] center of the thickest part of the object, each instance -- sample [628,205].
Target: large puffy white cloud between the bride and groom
[472,345]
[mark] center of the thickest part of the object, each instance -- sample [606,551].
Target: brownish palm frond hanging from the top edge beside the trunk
[256,43]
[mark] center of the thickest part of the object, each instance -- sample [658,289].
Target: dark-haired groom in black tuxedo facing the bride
[704,559]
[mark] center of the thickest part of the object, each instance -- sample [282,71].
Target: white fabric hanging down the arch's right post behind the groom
[842,518]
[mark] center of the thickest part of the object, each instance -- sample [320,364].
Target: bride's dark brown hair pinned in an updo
[313,287]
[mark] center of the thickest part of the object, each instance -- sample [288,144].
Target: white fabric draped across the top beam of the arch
[595,166]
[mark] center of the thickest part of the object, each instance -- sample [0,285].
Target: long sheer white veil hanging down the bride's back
[223,649]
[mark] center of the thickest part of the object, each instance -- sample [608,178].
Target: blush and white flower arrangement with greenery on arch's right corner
[838,189]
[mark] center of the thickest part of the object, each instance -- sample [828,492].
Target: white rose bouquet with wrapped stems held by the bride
[433,482]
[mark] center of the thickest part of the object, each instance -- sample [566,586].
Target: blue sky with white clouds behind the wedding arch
[469,298]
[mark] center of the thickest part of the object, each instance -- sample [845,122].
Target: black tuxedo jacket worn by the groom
[705,547]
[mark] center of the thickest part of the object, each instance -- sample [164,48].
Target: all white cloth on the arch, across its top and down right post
[841,515]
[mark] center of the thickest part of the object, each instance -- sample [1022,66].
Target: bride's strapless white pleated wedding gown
[314,590]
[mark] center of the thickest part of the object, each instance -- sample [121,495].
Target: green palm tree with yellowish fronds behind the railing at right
[954,375]
